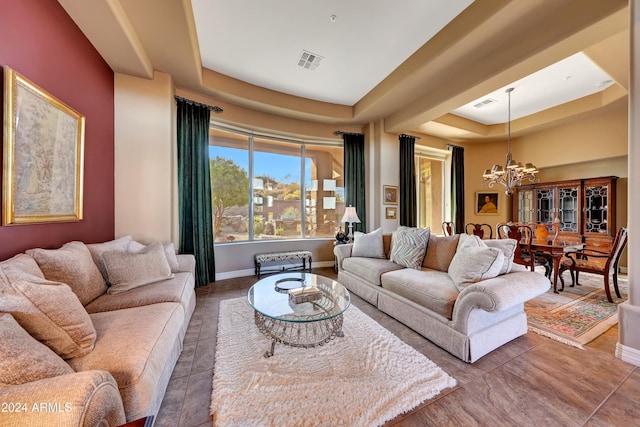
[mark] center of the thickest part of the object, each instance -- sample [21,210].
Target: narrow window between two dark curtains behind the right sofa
[432,187]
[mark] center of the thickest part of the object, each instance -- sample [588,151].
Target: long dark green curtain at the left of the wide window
[194,188]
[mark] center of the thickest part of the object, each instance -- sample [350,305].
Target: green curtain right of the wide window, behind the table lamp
[354,178]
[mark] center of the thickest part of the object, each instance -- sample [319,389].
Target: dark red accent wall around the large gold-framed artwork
[41,42]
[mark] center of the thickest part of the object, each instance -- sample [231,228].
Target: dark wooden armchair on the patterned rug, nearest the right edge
[596,262]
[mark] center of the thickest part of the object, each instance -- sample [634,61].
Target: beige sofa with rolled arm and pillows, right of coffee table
[462,293]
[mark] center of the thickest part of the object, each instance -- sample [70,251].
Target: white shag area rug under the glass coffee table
[365,378]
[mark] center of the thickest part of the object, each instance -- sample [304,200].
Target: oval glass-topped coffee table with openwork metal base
[306,324]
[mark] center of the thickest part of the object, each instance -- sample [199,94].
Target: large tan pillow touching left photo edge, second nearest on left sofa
[49,311]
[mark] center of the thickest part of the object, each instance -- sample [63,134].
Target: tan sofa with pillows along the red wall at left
[91,332]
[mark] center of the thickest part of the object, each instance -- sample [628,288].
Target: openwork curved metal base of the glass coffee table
[298,334]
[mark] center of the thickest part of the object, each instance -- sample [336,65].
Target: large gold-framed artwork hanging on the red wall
[43,155]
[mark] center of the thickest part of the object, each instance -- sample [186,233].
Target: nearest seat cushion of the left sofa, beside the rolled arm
[148,336]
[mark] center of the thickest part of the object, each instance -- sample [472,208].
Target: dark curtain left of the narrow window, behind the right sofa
[407,196]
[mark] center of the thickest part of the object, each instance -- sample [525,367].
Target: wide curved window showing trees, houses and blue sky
[266,187]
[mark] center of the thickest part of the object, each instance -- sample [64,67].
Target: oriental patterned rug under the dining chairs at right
[579,314]
